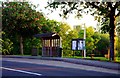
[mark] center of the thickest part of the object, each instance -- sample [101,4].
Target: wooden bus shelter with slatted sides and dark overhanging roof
[51,44]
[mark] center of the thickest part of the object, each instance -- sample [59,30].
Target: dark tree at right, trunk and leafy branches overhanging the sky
[104,9]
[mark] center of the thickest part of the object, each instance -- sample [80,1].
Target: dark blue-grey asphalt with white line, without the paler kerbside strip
[25,69]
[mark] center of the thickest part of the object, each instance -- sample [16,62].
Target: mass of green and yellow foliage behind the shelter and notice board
[21,22]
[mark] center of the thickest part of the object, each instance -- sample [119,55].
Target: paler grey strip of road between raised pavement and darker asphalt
[58,64]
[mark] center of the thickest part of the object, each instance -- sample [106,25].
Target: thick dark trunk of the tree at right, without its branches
[112,34]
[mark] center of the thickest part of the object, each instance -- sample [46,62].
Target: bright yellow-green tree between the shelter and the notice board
[67,34]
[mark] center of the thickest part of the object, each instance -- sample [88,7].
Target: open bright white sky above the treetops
[87,19]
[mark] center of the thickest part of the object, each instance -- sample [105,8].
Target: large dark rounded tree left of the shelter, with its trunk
[20,19]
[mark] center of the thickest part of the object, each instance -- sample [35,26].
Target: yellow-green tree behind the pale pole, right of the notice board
[92,38]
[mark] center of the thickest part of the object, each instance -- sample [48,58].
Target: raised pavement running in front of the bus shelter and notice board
[108,65]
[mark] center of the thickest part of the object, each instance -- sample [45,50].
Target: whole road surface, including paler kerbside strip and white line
[21,67]
